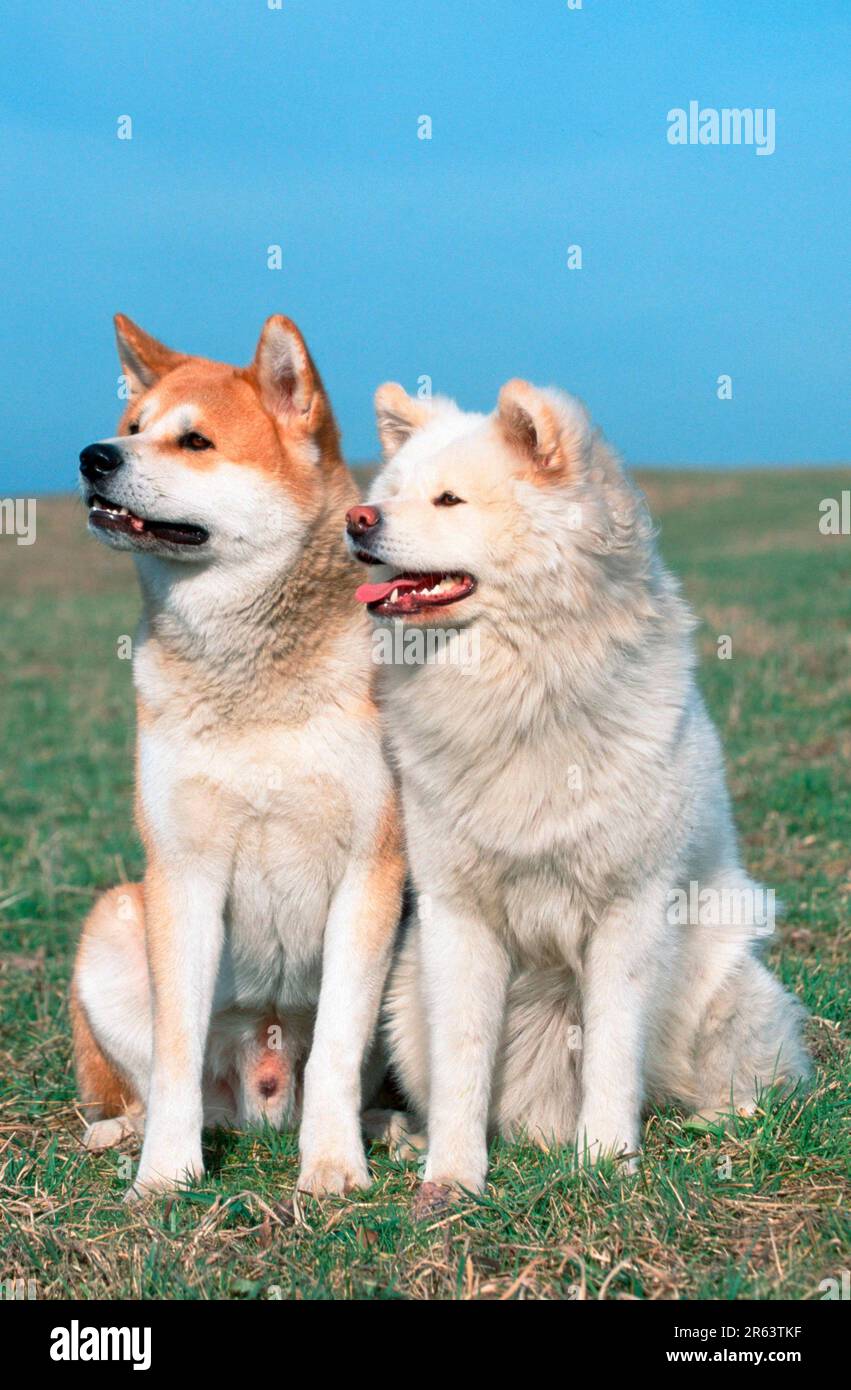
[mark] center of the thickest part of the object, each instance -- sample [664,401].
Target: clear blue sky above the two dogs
[444,258]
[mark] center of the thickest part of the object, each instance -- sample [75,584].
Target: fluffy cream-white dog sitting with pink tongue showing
[561,803]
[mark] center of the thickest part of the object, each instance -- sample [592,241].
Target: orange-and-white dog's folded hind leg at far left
[111,1014]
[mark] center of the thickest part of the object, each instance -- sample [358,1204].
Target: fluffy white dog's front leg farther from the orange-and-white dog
[619,979]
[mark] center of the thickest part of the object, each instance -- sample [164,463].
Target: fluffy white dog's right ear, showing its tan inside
[549,432]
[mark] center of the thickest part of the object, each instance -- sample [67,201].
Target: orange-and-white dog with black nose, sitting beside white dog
[264,931]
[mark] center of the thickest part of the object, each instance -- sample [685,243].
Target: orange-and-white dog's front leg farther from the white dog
[184,919]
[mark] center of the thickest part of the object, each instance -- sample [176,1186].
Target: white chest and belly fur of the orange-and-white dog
[275,807]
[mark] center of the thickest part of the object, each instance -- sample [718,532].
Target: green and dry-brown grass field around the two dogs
[761,1213]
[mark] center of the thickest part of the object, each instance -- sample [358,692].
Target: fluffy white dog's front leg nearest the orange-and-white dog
[467,974]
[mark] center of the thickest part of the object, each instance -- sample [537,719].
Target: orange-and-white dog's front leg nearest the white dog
[359,938]
